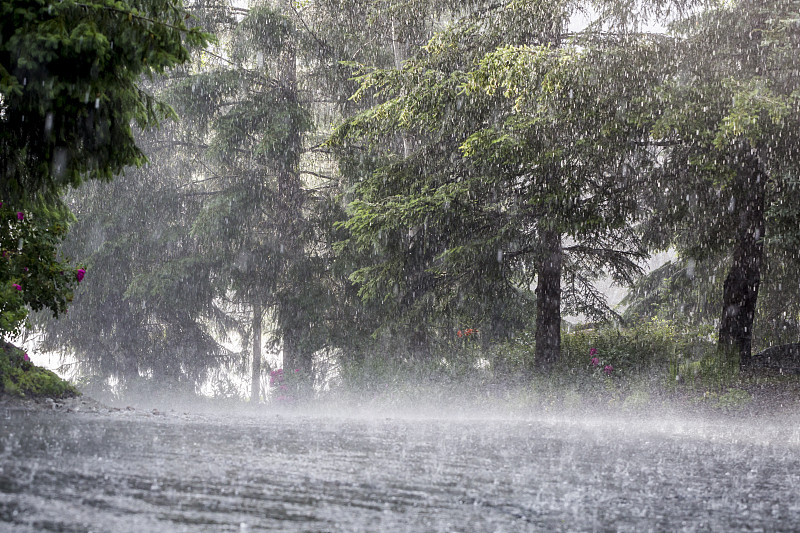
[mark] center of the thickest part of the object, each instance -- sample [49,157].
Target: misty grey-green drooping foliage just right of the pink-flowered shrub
[148,306]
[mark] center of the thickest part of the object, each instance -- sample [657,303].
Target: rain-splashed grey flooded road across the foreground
[125,471]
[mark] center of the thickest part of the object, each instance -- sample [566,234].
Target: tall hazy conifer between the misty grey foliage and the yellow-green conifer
[269,196]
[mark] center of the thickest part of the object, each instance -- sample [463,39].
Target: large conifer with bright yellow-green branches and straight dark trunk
[520,170]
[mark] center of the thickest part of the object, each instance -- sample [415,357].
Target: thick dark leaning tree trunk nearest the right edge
[740,291]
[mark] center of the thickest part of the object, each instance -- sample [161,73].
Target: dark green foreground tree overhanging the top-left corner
[68,96]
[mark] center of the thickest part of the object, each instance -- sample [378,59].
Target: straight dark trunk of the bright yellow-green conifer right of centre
[548,303]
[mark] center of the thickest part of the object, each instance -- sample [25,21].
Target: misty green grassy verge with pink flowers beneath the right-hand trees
[657,365]
